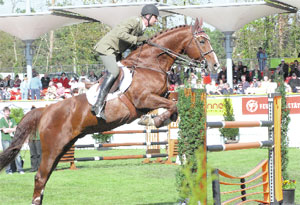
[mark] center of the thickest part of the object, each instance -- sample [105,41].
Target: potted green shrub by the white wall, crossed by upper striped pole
[230,135]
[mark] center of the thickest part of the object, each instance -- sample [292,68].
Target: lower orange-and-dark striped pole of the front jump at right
[238,146]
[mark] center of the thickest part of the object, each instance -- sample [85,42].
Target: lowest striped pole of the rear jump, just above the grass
[120,157]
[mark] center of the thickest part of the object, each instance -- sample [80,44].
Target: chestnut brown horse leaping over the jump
[61,124]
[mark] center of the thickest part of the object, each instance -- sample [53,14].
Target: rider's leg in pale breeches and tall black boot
[110,64]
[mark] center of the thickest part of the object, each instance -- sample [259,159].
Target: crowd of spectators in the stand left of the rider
[43,87]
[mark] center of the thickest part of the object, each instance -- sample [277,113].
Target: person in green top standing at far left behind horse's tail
[8,127]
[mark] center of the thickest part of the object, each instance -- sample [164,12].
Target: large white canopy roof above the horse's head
[228,17]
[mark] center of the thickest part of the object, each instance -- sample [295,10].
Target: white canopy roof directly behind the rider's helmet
[110,14]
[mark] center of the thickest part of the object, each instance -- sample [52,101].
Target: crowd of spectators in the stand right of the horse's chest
[256,81]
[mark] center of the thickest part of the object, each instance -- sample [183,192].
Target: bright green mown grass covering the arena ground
[124,181]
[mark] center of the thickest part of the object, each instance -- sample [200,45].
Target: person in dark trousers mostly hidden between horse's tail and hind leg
[35,150]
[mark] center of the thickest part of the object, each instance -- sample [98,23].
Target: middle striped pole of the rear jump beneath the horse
[121,144]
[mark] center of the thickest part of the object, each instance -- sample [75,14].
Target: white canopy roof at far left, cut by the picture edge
[32,26]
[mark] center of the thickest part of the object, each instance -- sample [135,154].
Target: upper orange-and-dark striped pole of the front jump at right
[238,124]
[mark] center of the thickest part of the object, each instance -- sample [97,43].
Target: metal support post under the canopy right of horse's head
[228,50]
